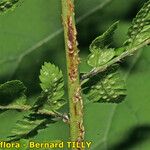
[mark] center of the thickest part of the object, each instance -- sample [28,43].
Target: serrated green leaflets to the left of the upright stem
[44,111]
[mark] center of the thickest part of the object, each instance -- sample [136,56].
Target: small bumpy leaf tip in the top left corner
[6,5]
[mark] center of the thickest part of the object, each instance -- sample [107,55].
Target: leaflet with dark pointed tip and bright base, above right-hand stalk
[100,53]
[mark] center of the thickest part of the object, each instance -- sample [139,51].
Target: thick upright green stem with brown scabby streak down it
[72,61]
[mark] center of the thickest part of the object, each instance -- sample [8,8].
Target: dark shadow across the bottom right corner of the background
[135,137]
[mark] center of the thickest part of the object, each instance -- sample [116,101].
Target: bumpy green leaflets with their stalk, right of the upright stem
[104,85]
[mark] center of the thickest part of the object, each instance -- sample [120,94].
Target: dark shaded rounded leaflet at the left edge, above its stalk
[12,93]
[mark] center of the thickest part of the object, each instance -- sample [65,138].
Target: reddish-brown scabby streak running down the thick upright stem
[73,69]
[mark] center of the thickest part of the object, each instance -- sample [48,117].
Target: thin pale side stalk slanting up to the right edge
[100,69]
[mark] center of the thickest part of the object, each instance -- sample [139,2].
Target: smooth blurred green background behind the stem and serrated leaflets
[32,34]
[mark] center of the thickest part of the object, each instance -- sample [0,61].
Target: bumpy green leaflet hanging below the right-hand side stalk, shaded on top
[106,87]
